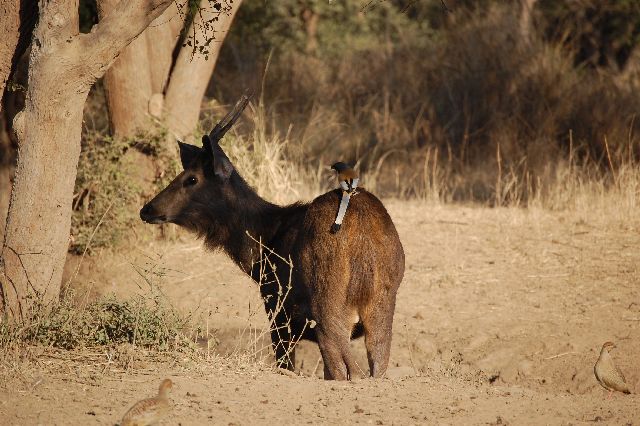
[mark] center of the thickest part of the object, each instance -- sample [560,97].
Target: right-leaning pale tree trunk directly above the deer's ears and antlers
[192,71]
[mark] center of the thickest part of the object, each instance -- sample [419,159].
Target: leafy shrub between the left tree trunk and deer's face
[114,177]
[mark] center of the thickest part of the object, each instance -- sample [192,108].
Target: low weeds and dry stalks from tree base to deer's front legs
[122,332]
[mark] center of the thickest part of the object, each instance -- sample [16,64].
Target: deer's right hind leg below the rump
[377,320]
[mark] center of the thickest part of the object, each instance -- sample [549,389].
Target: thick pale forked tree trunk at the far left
[63,66]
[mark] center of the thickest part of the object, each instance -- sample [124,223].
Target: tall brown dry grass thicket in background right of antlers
[475,112]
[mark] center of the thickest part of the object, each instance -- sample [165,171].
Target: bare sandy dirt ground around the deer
[499,320]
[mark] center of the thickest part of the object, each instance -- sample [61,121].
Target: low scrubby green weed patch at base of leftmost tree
[146,320]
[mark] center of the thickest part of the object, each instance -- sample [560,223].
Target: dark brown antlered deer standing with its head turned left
[346,282]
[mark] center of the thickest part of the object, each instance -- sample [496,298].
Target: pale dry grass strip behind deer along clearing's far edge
[275,166]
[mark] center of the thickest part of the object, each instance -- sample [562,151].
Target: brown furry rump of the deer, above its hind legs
[365,257]
